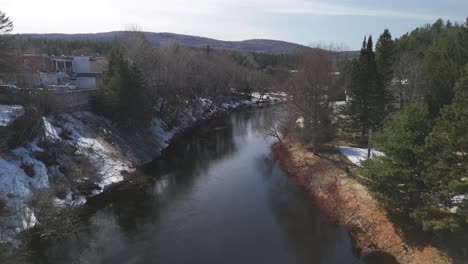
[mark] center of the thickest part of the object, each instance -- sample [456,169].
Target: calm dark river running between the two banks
[224,201]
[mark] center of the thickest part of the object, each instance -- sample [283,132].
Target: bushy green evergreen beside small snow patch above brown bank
[396,177]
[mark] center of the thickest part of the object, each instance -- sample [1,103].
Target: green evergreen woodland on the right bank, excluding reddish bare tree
[423,174]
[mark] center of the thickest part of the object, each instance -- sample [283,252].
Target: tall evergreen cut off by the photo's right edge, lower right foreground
[446,167]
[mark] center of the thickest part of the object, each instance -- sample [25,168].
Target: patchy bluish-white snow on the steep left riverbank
[16,187]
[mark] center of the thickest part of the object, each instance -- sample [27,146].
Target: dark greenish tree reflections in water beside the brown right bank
[308,235]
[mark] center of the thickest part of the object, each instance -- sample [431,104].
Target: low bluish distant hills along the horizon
[253,45]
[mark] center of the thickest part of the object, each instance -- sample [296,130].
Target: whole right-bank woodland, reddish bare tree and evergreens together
[407,97]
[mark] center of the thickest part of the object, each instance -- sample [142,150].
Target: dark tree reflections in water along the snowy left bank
[116,232]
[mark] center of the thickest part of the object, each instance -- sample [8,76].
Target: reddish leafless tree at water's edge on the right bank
[311,88]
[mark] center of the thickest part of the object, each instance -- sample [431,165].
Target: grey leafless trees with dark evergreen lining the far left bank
[143,80]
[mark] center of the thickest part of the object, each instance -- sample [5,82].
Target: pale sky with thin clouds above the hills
[341,22]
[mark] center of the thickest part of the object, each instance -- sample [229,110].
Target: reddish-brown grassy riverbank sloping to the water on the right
[342,199]
